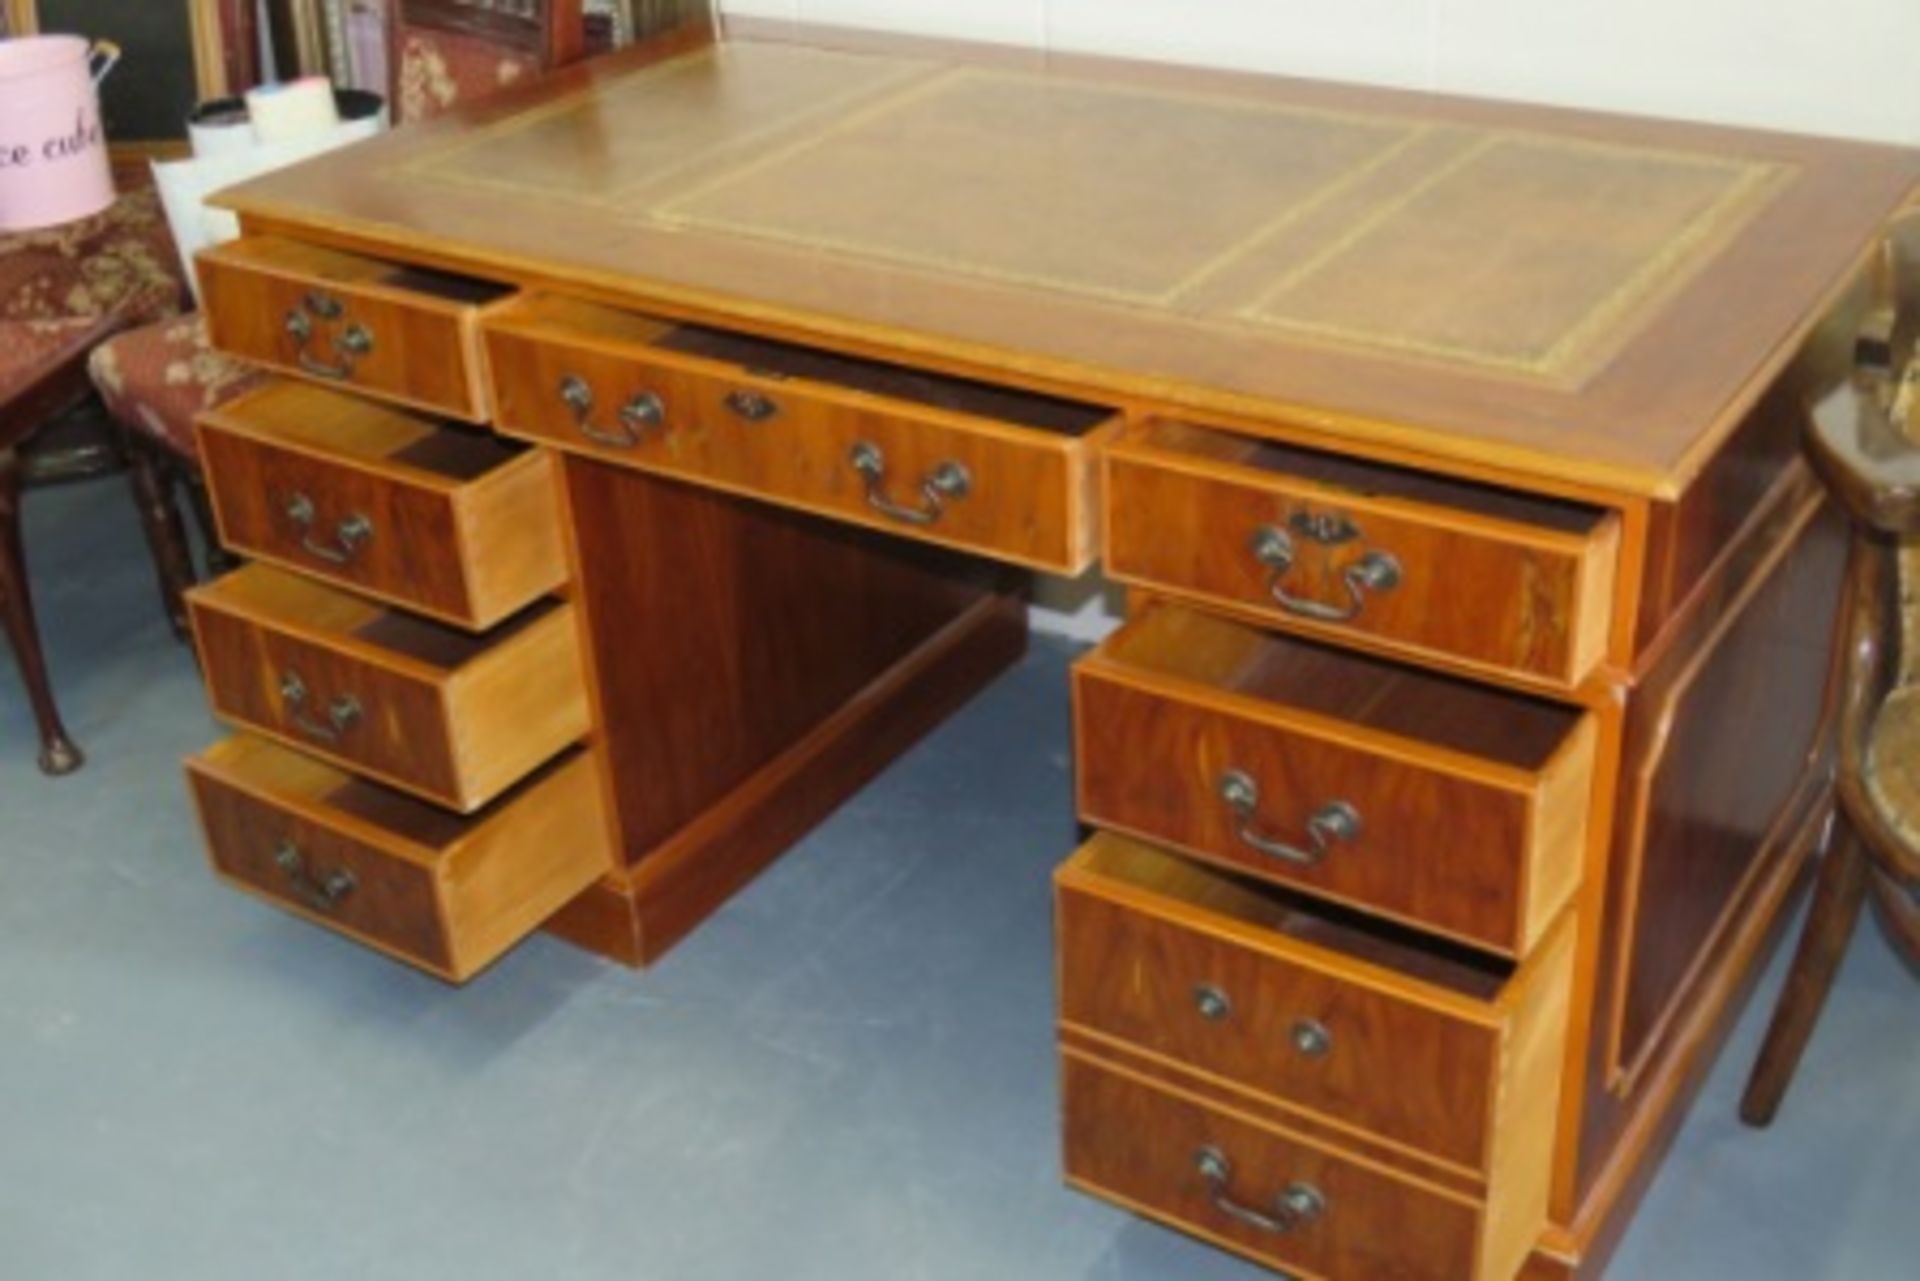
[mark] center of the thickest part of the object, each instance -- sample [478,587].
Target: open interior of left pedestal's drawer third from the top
[302,606]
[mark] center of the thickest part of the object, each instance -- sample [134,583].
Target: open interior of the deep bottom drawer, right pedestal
[1197,890]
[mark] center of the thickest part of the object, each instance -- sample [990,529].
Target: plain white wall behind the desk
[1813,66]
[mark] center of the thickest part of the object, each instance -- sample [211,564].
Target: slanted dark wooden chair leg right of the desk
[1836,907]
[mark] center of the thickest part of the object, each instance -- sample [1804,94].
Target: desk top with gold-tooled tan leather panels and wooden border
[1558,295]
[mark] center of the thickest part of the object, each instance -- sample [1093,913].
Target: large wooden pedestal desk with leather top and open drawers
[1468,735]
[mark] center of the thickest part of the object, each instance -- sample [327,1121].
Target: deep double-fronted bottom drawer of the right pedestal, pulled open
[1326,1027]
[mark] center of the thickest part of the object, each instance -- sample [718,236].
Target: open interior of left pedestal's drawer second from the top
[347,427]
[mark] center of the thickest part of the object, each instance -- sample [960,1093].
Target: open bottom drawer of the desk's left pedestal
[437,890]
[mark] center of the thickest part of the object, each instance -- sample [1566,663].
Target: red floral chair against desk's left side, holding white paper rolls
[158,379]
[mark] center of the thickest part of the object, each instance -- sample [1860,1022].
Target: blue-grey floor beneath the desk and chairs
[846,1075]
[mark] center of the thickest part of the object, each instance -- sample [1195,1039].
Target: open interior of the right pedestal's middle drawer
[1410,704]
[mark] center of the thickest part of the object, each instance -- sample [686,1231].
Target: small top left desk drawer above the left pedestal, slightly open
[402,333]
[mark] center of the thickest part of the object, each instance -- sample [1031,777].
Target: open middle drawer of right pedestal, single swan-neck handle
[1437,802]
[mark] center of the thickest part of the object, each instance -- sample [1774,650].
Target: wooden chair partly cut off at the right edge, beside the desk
[1873,466]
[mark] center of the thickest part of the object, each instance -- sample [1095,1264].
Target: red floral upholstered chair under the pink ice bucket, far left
[62,291]
